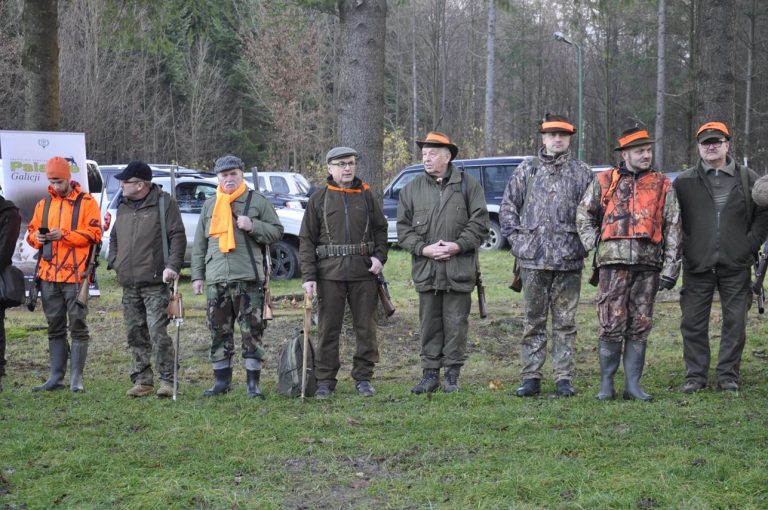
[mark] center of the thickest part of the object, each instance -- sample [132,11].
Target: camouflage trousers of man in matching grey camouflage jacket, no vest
[545,291]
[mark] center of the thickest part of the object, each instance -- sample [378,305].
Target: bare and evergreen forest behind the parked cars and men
[190,80]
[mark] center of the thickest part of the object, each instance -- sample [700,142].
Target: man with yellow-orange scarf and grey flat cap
[235,227]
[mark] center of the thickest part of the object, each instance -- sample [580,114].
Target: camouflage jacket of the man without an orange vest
[540,223]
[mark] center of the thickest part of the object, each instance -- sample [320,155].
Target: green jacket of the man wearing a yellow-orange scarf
[213,266]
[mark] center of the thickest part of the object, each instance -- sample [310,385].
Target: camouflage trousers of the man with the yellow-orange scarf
[230,301]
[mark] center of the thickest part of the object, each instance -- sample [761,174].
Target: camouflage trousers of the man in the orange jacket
[60,307]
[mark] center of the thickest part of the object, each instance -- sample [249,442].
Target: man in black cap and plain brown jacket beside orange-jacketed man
[147,256]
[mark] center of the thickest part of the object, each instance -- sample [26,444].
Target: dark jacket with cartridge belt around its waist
[352,217]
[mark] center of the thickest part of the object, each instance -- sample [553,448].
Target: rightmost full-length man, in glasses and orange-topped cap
[723,229]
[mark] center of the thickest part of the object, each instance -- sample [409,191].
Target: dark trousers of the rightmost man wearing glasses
[696,295]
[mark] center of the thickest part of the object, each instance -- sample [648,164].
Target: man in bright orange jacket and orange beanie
[65,228]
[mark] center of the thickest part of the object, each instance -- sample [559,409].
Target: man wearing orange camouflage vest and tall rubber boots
[630,216]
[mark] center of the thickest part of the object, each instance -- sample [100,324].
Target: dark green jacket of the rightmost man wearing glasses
[726,239]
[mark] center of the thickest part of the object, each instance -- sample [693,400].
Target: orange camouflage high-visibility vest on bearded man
[633,207]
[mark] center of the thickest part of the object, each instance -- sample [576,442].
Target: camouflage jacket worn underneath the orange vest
[631,251]
